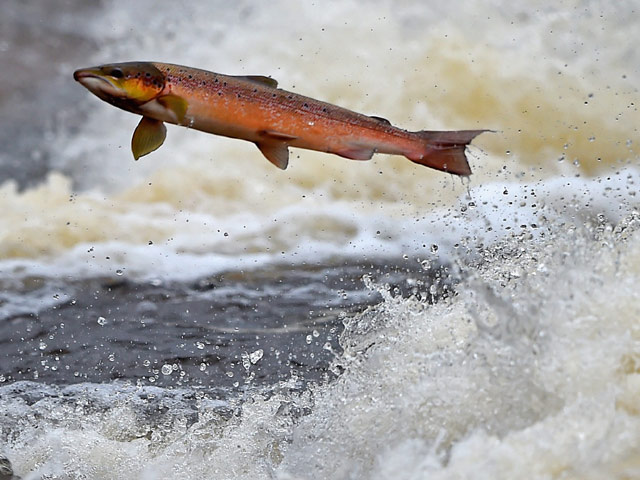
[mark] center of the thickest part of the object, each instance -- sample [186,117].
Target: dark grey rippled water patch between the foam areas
[283,321]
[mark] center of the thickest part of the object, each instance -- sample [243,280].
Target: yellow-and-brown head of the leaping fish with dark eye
[123,84]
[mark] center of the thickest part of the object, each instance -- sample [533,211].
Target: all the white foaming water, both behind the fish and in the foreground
[531,370]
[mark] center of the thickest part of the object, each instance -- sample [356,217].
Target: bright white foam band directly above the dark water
[204,244]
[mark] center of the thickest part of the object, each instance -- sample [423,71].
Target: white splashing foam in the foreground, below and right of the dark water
[532,367]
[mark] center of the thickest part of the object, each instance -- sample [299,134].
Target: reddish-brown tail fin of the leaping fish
[446,150]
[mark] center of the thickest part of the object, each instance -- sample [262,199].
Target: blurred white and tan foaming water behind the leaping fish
[416,64]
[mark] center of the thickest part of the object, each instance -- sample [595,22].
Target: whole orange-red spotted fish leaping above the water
[253,108]
